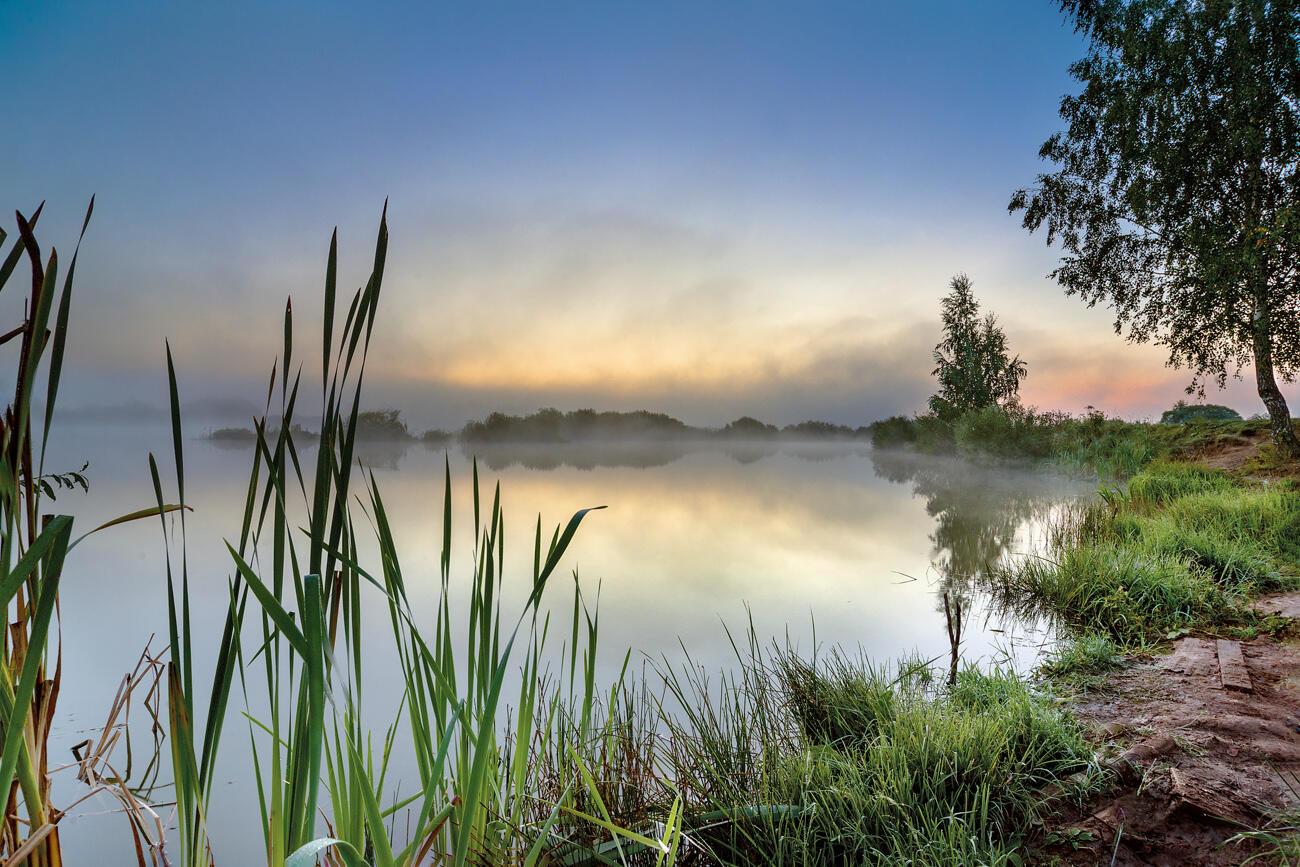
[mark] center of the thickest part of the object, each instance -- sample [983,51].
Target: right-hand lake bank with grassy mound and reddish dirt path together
[1180,593]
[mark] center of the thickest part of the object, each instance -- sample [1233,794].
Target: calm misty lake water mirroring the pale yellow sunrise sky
[826,544]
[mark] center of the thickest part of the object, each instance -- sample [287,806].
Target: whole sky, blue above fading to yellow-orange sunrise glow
[704,209]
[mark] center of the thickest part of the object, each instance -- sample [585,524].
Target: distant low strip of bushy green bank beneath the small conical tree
[1090,444]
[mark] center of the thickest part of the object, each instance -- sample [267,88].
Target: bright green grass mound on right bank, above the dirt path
[1182,548]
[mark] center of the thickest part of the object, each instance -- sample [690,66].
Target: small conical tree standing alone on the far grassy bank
[972,363]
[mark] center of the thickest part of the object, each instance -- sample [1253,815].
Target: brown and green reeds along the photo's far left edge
[34,548]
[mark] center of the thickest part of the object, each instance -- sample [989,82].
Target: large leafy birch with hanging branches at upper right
[1176,197]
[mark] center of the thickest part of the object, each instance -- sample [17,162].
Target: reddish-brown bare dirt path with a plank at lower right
[1204,742]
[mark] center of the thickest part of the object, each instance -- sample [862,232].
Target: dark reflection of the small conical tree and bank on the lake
[978,511]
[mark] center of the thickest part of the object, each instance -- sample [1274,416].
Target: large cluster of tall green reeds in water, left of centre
[302,674]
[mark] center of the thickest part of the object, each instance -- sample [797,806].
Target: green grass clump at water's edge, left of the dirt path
[937,777]
